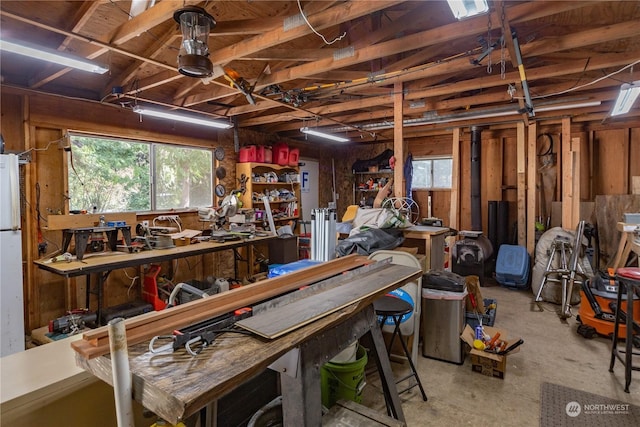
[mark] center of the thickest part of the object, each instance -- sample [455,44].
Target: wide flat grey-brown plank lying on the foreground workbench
[275,323]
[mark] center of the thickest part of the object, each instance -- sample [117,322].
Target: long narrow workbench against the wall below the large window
[104,262]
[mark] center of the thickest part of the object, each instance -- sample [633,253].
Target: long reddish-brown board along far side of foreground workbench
[96,342]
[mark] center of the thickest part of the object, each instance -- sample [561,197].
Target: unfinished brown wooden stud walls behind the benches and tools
[33,120]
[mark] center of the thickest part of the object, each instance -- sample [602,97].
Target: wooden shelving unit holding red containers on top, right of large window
[259,175]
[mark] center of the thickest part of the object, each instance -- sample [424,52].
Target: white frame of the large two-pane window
[152,166]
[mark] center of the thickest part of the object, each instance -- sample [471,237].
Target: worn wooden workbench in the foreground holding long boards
[175,385]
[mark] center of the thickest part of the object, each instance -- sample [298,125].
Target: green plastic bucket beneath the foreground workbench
[343,380]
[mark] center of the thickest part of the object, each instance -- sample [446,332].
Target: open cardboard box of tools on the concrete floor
[489,349]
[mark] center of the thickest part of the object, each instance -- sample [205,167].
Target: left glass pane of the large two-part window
[108,175]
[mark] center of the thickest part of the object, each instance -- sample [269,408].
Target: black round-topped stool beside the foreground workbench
[395,308]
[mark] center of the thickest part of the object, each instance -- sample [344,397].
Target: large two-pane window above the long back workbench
[111,175]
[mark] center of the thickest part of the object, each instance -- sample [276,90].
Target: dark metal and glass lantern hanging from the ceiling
[195,23]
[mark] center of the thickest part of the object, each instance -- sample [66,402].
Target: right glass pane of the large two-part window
[183,177]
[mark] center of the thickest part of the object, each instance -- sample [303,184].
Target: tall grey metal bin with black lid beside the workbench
[443,311]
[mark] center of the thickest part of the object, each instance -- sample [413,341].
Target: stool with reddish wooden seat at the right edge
[629,278]
